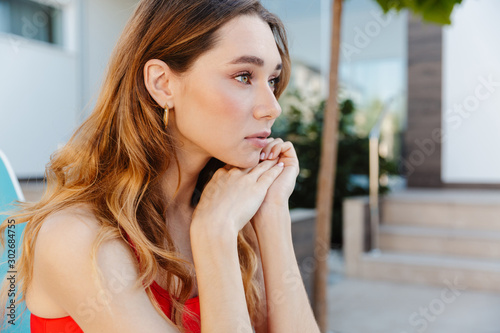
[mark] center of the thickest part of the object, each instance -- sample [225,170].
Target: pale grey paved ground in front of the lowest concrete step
[360,306]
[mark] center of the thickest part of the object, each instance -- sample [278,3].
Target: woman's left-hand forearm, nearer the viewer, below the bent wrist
[222,298]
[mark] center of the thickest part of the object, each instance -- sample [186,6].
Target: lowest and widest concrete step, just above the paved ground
[453,272]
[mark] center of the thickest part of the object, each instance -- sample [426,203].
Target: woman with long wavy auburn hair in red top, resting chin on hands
[145,223]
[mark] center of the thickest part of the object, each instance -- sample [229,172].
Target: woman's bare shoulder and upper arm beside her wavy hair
[101,298]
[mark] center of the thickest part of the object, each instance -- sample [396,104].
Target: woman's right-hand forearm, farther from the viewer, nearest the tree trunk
[287,302]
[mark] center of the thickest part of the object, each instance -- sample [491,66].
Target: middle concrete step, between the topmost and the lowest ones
[440,241]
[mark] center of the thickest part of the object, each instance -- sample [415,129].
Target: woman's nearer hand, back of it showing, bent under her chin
[234,195]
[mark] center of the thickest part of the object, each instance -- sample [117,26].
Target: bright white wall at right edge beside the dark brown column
[471,106]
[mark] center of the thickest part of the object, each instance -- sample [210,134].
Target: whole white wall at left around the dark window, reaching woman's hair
[44,89]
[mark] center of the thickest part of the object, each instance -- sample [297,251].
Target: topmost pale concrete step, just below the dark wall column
[458,209]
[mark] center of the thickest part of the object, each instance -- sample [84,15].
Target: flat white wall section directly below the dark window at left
[37,102]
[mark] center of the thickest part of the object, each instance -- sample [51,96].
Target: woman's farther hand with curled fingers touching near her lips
[281,189]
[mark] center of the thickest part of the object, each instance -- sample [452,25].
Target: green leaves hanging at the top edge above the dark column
[435,11]
